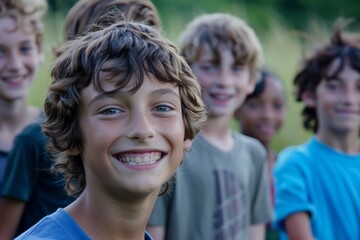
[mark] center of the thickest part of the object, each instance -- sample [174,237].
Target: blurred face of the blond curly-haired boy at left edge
[19,59]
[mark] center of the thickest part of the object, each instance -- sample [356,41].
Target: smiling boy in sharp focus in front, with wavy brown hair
[122,108]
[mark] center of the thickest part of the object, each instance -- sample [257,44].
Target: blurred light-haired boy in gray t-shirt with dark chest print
[220,191]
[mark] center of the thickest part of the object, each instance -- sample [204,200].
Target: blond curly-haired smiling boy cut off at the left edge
[21,40]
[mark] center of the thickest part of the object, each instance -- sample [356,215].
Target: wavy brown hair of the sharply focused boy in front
[126,51]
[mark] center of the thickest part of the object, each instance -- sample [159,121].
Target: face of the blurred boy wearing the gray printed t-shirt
[224,83]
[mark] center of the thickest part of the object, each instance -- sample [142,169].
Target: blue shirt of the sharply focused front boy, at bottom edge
[59,225]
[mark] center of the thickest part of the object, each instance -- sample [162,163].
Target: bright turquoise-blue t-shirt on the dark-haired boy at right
[317,179]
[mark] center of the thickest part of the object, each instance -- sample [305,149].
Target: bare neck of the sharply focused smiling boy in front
[104,220]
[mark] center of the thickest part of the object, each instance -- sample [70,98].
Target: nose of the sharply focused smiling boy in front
[141,128]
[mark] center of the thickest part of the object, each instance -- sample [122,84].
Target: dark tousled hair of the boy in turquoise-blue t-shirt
[343,46]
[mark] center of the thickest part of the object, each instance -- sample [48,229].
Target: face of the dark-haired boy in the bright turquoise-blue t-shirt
[337,101]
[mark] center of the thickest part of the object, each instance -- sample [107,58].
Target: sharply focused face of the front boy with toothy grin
[133,143]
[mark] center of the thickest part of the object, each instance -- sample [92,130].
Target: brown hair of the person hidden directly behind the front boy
[86,12]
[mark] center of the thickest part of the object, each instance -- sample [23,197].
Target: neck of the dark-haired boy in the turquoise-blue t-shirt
[346,143]
